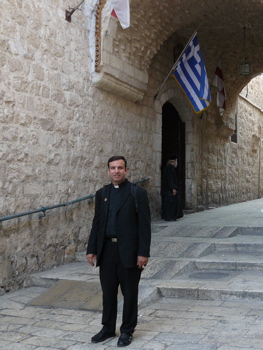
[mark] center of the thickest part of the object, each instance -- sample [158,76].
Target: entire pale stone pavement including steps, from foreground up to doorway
[202,290]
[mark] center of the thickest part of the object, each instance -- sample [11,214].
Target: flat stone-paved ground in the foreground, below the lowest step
[168,323]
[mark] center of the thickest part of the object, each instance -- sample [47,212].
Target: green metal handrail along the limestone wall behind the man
[44,209]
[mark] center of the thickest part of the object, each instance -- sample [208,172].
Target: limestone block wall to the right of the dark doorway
[232,172]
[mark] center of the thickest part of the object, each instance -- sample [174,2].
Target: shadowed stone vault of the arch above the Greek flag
[220,27]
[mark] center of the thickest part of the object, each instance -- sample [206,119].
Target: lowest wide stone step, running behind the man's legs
[191,283]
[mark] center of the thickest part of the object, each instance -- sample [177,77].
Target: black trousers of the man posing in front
[112,275]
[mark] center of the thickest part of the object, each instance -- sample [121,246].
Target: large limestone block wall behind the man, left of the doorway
[57,133]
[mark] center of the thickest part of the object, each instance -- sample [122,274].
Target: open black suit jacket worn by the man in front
[133,226]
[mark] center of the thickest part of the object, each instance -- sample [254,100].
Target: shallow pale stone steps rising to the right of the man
[207,262]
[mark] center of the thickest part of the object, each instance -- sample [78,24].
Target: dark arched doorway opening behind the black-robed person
[173,141]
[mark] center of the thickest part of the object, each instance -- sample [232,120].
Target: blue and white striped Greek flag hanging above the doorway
[190,73]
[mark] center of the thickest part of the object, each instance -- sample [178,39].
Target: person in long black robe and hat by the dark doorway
[171,202]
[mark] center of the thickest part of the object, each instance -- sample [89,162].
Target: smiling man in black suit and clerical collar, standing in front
[119,244]
